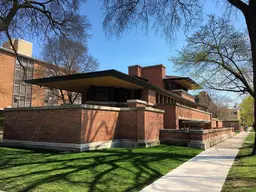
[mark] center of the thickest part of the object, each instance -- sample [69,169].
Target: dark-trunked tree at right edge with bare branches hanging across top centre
[168,16]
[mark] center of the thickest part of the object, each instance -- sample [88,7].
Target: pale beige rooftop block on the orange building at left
[21,46]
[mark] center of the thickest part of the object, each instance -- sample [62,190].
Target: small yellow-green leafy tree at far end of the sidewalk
[247,110]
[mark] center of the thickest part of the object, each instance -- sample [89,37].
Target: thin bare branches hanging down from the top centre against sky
[164,16]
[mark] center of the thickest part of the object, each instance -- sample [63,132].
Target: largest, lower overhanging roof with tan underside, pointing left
[113,78]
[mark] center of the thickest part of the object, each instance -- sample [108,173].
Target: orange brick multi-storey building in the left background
[13,91]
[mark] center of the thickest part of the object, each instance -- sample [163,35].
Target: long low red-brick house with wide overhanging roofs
[143,107]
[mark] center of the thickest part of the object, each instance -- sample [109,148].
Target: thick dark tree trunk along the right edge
[251,26]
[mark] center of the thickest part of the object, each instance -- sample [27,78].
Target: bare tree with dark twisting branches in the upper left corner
[42,19]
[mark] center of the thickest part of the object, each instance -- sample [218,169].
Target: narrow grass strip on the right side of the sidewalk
[242,175]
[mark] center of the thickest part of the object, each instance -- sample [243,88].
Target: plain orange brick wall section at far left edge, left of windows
[7,64]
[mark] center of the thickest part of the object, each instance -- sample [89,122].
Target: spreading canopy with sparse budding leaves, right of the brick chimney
[219,56]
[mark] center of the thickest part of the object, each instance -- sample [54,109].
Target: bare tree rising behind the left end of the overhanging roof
[68,57]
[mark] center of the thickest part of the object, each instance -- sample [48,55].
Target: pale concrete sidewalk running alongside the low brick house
[205,172]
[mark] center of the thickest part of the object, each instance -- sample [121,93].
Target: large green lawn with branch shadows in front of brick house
[102,170]
